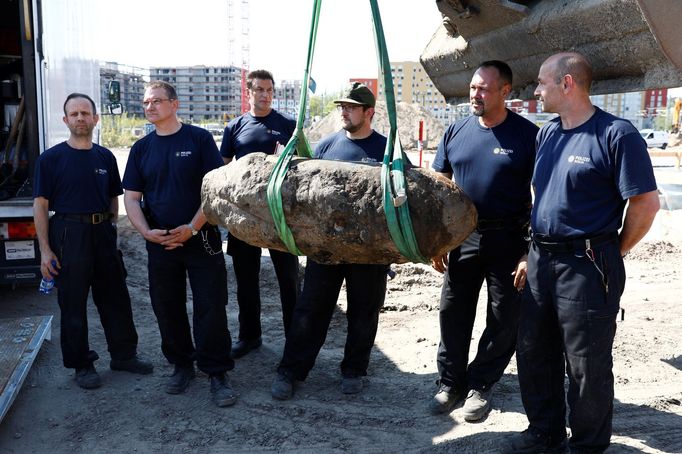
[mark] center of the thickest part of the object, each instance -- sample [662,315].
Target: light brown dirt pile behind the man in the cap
[408,125]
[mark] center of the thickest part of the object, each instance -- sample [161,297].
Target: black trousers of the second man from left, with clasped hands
[201,260]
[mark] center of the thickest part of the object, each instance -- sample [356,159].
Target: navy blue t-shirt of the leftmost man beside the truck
[77,181]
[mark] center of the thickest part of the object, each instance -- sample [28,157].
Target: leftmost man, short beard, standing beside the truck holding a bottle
[79,181]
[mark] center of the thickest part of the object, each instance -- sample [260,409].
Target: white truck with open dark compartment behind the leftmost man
[46,52]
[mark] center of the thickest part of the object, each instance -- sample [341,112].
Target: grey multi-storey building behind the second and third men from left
[206,93]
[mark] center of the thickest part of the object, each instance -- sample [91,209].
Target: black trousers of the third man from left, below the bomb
[246,262]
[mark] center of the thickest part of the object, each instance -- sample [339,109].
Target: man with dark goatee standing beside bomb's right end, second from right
[490,154]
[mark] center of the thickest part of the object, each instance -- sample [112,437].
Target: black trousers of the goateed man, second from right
[491,256]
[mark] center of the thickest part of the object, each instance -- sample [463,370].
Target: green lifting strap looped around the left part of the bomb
[298,143]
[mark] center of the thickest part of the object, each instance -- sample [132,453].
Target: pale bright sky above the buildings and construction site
[176,32]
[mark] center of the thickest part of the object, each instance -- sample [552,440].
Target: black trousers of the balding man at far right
[568,323]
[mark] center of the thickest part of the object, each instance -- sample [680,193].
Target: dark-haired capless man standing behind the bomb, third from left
[261,129]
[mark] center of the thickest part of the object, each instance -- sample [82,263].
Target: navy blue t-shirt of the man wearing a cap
[339,147]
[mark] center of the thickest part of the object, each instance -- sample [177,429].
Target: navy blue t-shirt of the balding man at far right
[583,176]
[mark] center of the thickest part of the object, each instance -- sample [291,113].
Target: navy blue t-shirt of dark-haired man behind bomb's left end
[249,134]
